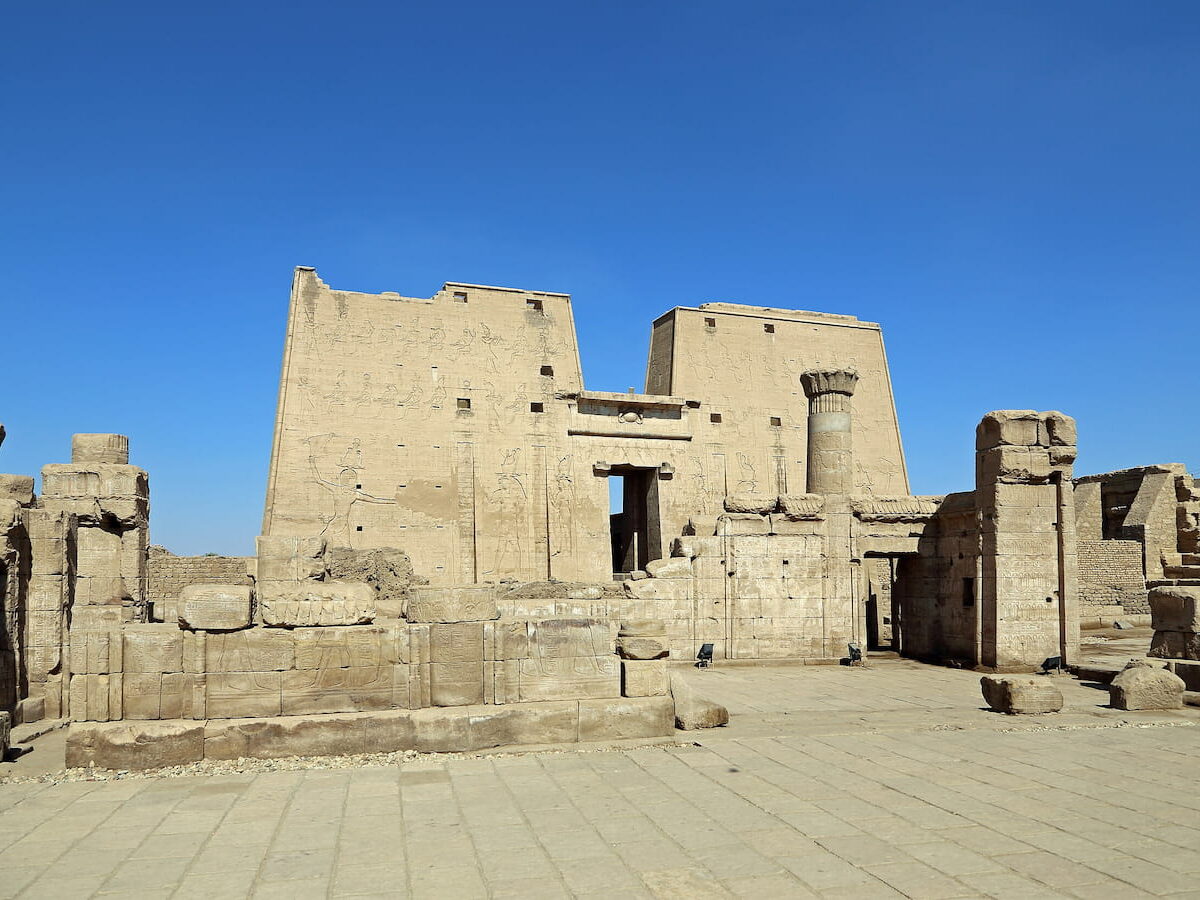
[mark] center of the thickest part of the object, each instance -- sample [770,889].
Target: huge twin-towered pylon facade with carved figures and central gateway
[458,427]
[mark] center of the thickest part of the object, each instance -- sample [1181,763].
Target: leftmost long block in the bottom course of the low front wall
[135,746]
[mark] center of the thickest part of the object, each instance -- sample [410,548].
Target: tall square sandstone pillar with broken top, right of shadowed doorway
[1029,592]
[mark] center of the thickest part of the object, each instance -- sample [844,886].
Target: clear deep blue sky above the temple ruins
[1011,189]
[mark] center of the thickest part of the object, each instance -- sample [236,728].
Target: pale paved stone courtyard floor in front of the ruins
[887,782]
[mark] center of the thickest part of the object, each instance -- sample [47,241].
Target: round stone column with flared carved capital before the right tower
[831,451]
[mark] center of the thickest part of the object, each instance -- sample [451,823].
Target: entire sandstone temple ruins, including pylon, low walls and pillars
[441,568]
